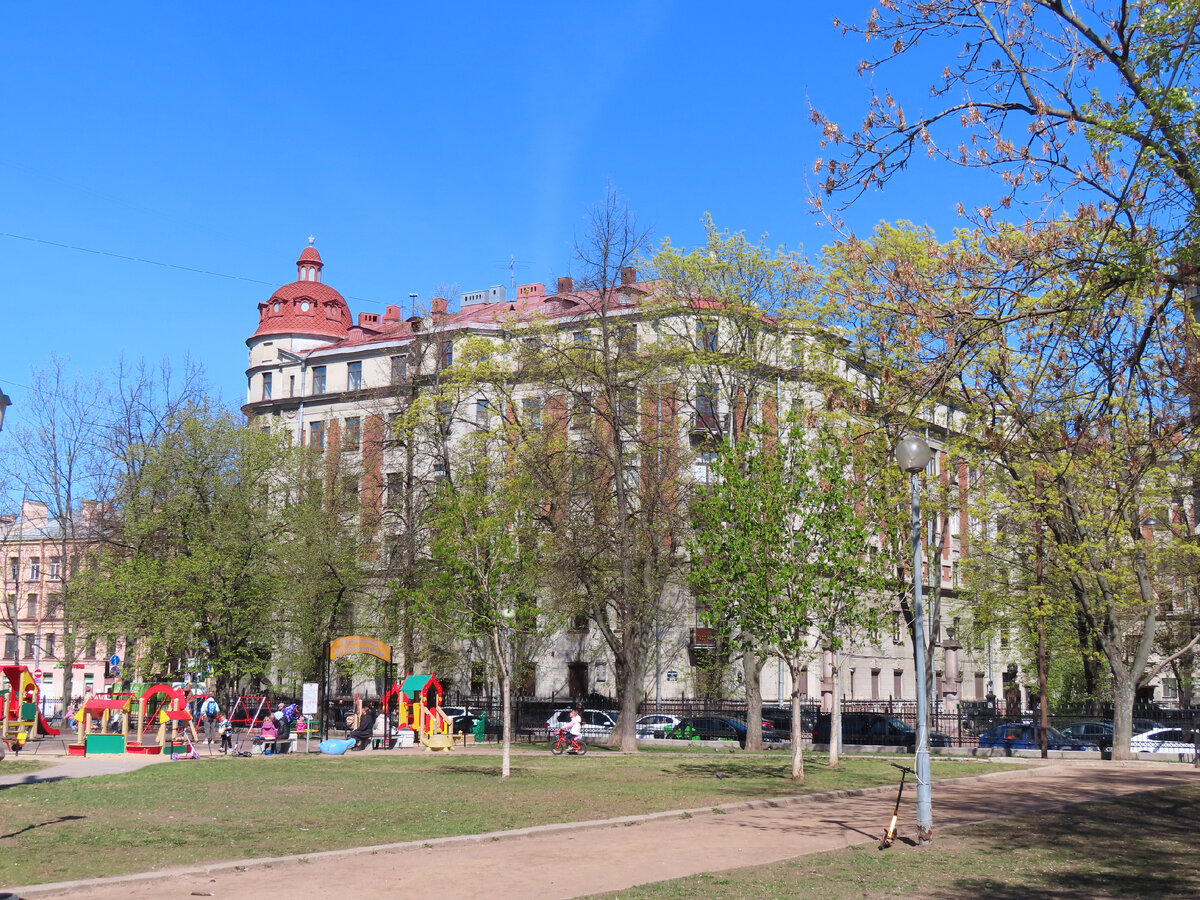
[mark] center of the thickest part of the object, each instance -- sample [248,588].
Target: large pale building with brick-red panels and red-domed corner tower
[340,385]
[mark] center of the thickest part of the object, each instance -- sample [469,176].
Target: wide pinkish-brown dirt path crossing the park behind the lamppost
[569,861]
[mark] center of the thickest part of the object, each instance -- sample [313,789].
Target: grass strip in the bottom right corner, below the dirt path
[1137,847]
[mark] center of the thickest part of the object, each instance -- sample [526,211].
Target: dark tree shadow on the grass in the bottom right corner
[1097,850]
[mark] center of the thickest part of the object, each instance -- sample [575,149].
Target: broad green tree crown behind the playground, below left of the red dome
[188,571]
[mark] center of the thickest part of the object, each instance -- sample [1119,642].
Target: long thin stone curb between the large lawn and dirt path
[62,887]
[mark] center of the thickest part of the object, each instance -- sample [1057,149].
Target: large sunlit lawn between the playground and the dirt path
[220,808]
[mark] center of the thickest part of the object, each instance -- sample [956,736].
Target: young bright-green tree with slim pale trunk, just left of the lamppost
[783,550]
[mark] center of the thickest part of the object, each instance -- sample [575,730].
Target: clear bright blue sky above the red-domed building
[423,147]
